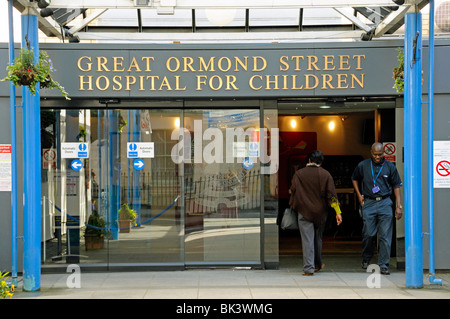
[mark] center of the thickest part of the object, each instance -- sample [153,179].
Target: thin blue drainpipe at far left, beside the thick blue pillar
[12,103]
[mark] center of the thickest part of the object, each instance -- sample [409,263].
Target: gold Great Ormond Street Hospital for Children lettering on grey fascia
[221,73]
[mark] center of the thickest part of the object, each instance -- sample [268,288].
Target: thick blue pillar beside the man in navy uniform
[413,150]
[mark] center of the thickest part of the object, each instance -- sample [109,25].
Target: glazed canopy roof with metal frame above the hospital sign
[194,21]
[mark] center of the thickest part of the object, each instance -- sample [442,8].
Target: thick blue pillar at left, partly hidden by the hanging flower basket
[32,168]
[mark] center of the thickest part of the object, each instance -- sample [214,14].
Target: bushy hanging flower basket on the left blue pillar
[24,72]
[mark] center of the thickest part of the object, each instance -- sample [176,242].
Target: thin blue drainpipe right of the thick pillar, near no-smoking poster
[432,278]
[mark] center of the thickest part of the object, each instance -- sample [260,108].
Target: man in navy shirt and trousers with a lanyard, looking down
[374,180]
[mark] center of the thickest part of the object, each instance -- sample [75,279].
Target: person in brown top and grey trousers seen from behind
[312,191]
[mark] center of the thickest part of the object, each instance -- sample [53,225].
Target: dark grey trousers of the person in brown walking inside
[311,244]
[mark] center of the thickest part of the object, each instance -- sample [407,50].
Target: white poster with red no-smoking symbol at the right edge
[441,164]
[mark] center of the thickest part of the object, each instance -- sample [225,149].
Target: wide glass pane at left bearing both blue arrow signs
[110,188]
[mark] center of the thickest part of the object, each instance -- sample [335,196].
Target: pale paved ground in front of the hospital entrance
[337,281]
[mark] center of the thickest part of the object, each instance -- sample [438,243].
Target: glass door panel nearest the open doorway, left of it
[222,187]
